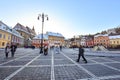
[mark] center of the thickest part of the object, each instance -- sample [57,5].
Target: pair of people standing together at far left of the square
[10,48]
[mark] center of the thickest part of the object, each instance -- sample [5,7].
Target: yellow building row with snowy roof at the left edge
[9,35]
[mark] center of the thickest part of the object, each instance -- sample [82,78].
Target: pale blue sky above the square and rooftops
[68,17]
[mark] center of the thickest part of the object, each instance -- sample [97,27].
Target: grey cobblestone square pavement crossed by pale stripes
[28,64]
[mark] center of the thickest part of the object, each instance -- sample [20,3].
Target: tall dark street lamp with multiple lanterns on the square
[43,16]
